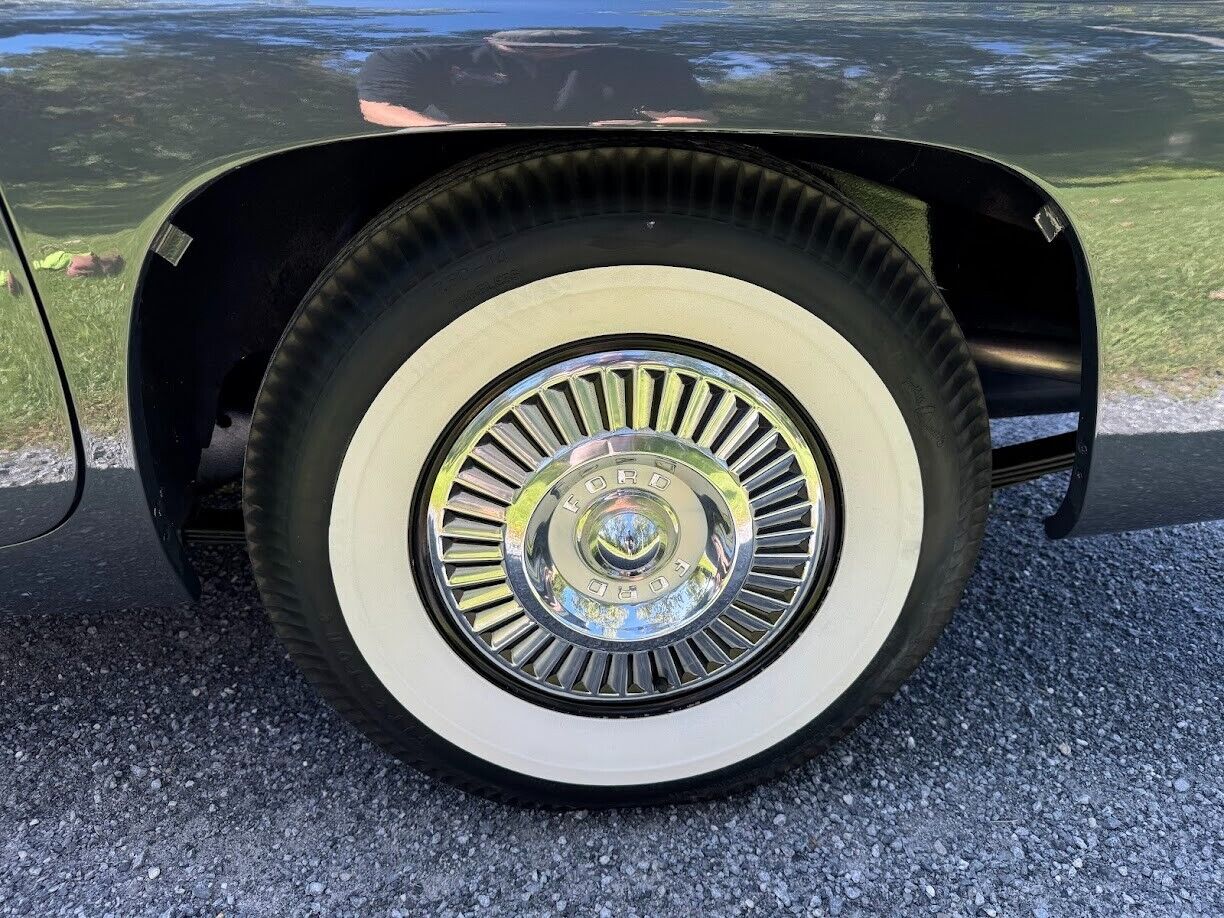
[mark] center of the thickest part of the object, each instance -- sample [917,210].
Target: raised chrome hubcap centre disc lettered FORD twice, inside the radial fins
[626,538]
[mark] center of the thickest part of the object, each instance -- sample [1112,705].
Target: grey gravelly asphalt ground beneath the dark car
[1061,753]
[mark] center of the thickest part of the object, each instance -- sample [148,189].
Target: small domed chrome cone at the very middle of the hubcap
[627,534]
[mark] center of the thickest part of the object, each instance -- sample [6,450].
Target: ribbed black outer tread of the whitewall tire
[488,199]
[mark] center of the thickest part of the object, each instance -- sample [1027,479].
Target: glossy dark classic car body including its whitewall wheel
[604,391]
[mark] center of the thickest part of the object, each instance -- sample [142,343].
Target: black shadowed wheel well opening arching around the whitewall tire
[204,331]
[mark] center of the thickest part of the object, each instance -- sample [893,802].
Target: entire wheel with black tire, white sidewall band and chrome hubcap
[616,474]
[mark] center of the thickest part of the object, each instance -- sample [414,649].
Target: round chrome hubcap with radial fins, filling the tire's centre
[626,526]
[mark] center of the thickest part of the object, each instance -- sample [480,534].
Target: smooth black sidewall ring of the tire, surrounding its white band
[398,316]
